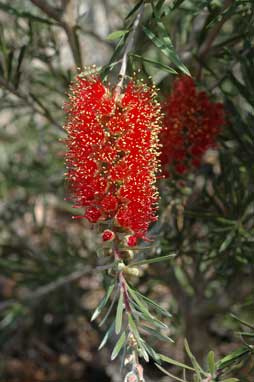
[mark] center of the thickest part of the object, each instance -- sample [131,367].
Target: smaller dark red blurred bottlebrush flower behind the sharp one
[191,126]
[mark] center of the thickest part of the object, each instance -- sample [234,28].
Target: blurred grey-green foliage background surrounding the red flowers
[48,282]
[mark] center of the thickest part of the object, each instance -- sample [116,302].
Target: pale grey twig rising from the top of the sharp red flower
[128,48]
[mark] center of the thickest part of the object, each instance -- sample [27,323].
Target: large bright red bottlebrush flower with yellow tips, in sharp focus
[113,154]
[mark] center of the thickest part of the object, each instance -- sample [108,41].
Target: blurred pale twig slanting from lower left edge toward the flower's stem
[46,289]
